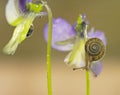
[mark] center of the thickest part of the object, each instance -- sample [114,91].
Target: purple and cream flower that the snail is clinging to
[74,38]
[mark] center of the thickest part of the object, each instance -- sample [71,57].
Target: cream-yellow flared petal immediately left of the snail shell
[77,56]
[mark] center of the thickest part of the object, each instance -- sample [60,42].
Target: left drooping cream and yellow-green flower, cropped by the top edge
[21,13]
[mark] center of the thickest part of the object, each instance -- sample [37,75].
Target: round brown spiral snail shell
[95,49]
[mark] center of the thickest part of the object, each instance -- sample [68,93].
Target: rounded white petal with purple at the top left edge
[14,11]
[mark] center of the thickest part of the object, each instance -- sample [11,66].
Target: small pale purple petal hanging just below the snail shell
[96,68]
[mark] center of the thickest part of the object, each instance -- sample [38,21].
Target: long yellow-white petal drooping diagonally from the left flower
[19,34]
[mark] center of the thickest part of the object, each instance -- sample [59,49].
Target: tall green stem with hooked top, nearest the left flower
[49,81]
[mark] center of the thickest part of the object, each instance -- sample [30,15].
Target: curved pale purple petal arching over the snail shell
[97,34]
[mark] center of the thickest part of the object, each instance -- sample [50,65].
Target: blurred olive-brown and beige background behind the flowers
[25,72]
